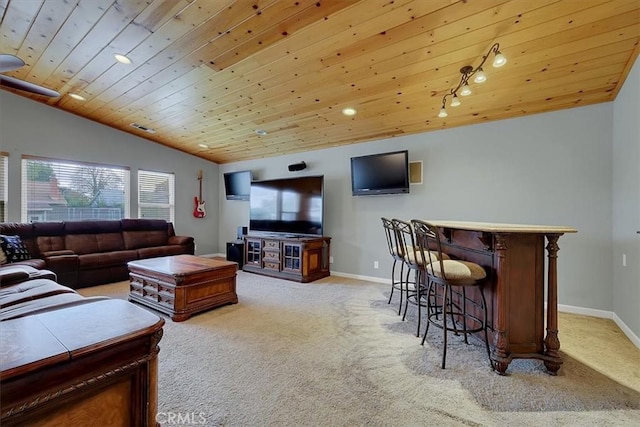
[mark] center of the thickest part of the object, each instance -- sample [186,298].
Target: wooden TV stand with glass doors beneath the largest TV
[299,258]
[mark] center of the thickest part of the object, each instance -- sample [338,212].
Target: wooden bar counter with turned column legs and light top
[514,257]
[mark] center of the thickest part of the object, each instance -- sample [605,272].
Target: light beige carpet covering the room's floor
[334,353]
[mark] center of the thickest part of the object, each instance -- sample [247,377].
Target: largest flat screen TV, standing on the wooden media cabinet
[287,206]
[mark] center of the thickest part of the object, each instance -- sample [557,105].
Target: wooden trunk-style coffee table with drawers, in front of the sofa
[182,285]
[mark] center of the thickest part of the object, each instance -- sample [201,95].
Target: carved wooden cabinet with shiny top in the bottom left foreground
[92,364]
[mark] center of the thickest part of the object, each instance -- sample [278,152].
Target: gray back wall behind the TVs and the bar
[552,169]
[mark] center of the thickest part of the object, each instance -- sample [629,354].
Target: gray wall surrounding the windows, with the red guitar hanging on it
[31,128]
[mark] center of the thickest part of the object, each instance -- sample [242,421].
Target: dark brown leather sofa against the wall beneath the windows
[87,253]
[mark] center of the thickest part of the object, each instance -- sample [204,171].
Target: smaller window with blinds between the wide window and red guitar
[156,191]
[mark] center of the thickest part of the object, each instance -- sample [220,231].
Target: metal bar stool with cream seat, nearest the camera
[444,278]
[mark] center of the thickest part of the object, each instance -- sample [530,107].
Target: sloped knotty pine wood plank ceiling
[206,74]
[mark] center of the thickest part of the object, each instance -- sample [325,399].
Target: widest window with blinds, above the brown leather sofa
[61,190]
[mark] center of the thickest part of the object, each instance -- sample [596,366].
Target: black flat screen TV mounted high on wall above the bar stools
[383,173]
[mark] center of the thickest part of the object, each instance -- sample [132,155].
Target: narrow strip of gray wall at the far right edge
[626,201]
